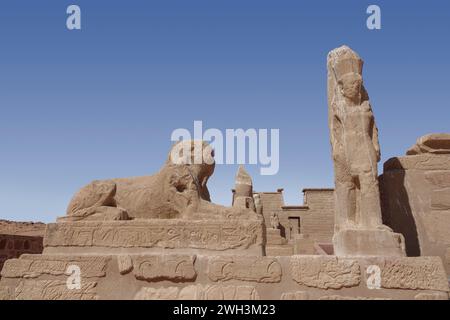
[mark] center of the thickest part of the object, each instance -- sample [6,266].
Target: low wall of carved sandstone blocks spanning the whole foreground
[218,277]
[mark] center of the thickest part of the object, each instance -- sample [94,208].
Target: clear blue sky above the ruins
[102,102]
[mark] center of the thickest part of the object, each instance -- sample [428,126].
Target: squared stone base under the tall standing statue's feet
[360,242]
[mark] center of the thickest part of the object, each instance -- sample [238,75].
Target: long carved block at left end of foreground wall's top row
[32,266]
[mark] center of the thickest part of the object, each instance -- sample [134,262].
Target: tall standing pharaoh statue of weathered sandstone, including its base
[356,152]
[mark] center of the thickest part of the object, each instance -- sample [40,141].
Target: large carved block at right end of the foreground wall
[426,273]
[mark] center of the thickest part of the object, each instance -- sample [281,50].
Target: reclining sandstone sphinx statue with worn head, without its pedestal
[179,190]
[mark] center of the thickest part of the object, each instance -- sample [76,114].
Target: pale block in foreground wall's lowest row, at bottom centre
[218,292]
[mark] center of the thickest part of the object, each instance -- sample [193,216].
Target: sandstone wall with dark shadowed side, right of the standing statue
[416,202]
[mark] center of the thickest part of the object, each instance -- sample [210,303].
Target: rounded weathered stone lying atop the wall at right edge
[437,143]
